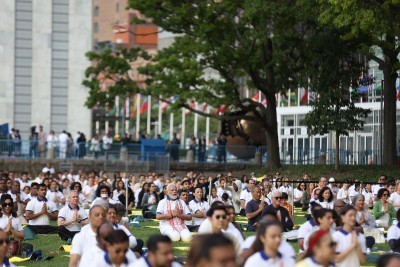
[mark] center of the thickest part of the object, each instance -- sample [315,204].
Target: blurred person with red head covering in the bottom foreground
[320,252]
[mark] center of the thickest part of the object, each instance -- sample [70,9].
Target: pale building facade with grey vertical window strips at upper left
[42,58]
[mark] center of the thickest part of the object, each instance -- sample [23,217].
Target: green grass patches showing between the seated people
[49,244]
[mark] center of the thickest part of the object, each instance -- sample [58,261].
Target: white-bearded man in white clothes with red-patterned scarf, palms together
[172,213]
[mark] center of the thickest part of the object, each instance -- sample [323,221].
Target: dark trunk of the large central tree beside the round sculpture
[274,160]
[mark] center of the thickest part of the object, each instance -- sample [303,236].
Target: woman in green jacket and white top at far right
[384,212]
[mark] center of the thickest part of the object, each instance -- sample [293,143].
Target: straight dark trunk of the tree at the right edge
[389,116]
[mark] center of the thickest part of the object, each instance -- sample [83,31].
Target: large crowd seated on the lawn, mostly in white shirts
[91,213]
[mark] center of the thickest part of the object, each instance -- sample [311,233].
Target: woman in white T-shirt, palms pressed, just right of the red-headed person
[351,246]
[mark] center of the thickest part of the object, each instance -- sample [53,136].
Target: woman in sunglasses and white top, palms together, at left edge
[8,220]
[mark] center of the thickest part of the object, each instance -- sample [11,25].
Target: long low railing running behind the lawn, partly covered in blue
[175,153]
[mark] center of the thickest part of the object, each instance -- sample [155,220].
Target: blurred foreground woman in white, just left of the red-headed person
[268,254]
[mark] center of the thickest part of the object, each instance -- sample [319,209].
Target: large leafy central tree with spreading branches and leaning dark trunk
[259,42]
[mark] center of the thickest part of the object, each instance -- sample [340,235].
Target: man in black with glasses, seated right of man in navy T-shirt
[281,213]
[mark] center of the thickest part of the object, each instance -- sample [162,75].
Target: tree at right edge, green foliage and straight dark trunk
[375,27]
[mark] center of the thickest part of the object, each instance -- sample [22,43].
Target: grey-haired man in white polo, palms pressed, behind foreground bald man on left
[71,218]
